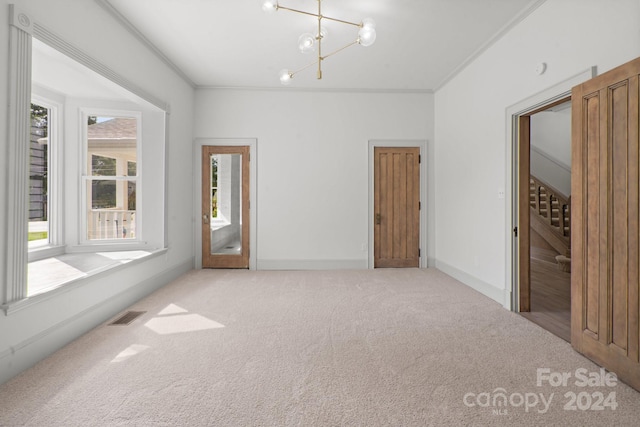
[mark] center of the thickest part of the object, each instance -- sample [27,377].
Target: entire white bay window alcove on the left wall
[75,196]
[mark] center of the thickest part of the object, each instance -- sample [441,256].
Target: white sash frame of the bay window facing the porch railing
[86,177]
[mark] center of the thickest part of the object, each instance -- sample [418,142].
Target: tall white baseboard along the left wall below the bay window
[27,353]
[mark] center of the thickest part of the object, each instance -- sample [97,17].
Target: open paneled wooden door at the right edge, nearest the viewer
[605,309]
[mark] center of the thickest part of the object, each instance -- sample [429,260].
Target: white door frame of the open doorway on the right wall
[527,106]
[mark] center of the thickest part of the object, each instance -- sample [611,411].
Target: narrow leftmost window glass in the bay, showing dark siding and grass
[38,176]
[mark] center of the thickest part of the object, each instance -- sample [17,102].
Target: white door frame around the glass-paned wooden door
[252,143]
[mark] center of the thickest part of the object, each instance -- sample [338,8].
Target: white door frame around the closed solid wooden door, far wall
[425,234]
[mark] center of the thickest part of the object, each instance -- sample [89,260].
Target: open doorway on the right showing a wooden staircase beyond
[544,199]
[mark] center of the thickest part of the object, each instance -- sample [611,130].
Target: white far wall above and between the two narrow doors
[312,164]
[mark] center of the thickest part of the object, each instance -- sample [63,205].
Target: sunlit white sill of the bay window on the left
[55,275]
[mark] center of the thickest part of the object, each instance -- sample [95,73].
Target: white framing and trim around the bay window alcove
[14,253]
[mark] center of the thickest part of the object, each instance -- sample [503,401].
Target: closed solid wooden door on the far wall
[397,207]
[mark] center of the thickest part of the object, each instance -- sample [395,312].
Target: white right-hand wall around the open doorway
[471,139]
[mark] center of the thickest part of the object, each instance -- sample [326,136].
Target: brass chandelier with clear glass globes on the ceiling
[308,42]
